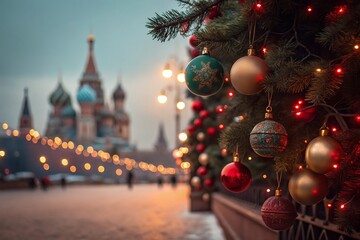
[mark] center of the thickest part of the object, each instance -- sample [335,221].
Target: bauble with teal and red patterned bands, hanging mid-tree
[268,138]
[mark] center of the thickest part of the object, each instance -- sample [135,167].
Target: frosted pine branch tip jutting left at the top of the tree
[166,26]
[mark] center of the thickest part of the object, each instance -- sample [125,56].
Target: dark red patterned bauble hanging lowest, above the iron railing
[278,213]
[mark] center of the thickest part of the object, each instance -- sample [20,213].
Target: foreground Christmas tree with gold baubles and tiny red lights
[302,69]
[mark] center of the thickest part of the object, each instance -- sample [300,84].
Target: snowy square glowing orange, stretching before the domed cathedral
[104,212]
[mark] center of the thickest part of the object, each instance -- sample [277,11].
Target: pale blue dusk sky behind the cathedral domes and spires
[40,37]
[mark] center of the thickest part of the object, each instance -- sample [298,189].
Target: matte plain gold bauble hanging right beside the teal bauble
[247,74]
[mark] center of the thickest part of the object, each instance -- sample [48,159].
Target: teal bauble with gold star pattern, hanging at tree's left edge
[204,75]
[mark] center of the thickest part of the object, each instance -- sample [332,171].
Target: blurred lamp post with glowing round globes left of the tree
[179,103]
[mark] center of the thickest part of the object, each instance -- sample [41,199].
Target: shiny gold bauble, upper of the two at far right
[323,153]
